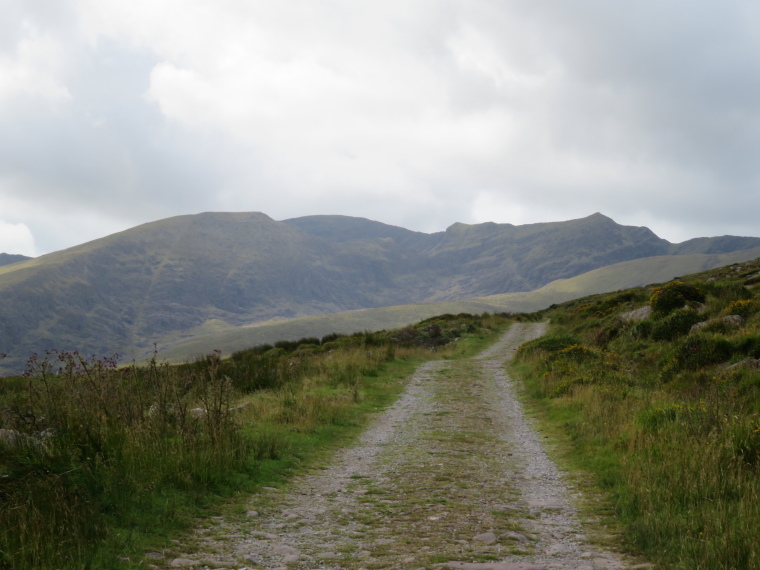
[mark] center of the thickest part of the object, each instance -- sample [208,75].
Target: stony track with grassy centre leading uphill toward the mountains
[451,476]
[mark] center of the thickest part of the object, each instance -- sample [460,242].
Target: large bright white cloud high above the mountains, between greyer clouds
[325,97]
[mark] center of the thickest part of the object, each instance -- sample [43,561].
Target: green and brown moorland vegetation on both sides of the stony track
[654,391]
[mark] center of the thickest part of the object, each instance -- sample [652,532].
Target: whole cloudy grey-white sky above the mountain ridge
[415,113]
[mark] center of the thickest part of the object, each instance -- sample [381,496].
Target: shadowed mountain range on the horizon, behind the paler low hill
[192,275]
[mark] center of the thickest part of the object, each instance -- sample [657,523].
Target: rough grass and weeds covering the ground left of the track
[110,462]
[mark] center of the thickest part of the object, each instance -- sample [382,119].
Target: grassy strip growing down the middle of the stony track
[438,482]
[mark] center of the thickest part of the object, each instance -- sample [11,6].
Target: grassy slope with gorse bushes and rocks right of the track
[668,429]
